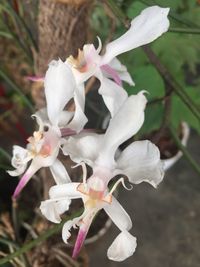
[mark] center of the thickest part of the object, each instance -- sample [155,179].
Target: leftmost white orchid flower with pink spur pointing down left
[43,147]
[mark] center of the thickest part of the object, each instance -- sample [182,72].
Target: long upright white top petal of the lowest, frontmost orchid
[123,125]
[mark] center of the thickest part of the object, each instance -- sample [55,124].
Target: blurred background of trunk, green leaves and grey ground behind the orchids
[166,221]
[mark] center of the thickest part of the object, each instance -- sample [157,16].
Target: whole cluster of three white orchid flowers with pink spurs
[59,128]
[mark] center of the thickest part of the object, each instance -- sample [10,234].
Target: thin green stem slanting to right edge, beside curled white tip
[184,150]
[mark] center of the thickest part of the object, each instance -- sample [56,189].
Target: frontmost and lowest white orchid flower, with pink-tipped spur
[140,162]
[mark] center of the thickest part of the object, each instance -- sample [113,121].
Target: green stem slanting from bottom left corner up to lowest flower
[45,235]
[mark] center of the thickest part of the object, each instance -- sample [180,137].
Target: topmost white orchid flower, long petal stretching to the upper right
[145,28]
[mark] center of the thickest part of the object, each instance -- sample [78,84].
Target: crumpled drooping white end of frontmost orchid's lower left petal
[53,208]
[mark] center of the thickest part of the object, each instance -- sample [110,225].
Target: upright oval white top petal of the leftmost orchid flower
[59,88]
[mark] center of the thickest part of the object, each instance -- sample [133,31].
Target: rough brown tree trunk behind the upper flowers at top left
[62,29]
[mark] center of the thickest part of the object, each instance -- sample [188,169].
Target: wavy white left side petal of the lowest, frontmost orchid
[83,147]
